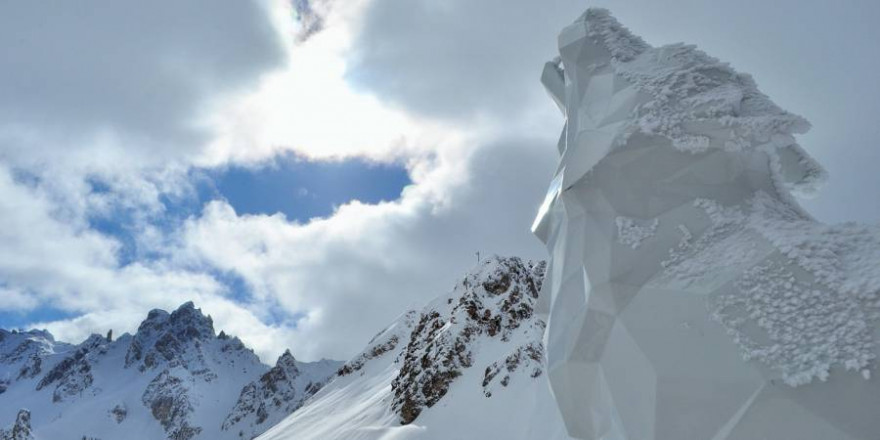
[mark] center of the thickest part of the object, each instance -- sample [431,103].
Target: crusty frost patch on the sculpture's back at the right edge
[814,315]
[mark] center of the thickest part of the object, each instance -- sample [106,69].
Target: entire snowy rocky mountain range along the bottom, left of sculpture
[468,365]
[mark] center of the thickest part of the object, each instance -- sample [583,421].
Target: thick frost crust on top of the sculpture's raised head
[700,103]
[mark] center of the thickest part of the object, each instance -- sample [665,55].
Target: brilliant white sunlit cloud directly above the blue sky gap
[311,109]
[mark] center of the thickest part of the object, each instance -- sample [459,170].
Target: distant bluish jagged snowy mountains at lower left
[174,378]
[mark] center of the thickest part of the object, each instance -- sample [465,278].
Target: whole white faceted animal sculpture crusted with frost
[689,295]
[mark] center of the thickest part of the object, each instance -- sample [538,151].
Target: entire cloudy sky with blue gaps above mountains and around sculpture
[306,171]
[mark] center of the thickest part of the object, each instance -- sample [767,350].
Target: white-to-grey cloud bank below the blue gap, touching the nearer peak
[350,274]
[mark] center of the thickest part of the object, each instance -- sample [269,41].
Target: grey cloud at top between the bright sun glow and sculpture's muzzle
[459,59]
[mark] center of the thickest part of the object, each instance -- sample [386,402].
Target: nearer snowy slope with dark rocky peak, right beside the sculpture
[469,365]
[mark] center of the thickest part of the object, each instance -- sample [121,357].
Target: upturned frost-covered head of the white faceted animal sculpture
[649,130]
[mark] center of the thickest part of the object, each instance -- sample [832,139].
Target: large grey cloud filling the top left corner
[126,77]
